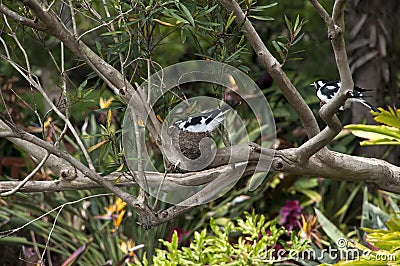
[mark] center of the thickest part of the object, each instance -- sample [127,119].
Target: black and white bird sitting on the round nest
[204,122]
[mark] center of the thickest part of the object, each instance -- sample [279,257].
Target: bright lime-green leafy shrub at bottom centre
[251,240]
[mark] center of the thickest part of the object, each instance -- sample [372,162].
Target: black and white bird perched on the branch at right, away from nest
[326,90]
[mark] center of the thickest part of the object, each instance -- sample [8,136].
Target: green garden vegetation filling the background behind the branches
[95,230]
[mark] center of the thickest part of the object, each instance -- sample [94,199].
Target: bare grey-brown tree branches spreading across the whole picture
[305,160]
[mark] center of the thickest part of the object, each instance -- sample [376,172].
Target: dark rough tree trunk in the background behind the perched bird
[373,58]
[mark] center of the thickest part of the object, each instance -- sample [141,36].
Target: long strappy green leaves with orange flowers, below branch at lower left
[80,228]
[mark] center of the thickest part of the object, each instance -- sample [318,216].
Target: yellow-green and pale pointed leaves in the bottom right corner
[380,246]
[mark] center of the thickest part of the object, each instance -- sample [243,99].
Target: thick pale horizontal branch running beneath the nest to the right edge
[332,165]
